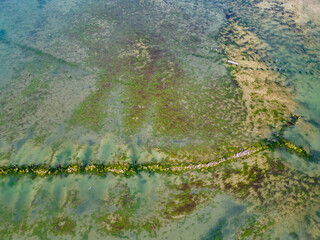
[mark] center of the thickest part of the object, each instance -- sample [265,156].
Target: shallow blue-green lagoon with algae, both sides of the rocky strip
[54,51]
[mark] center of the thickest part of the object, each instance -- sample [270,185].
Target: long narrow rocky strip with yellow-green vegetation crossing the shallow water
[130,169]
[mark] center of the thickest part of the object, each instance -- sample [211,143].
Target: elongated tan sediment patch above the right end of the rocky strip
[267,101]
